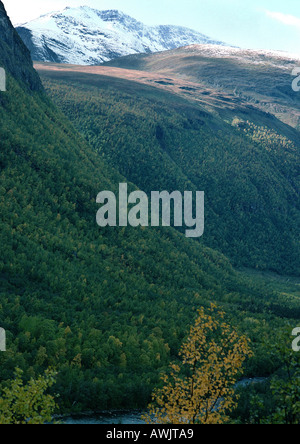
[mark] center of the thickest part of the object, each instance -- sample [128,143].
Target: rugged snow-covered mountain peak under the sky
[87,36]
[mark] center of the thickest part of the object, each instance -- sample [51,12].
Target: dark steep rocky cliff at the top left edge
[14,56]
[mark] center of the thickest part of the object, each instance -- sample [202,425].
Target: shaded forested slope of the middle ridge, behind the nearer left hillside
[161,141]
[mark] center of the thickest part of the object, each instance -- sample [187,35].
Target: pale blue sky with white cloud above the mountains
[257,24]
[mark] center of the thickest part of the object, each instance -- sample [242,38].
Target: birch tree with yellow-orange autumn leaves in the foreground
[200,389]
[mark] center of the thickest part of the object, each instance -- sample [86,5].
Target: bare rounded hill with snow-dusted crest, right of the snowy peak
[260,78]
